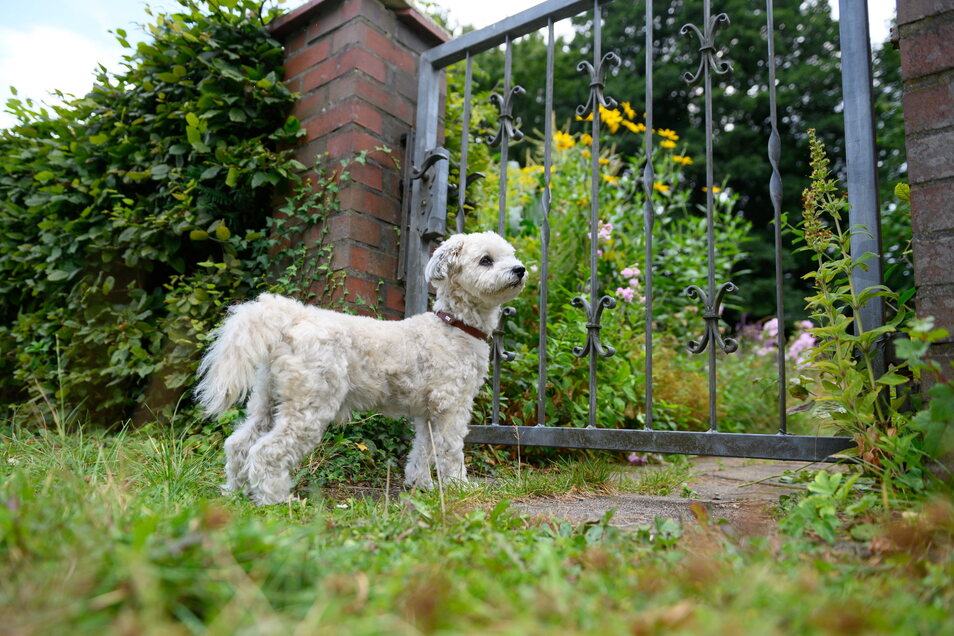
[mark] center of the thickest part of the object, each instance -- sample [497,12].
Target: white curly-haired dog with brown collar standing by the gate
[302,367]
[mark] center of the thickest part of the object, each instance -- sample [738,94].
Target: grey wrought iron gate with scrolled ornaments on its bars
[425,218]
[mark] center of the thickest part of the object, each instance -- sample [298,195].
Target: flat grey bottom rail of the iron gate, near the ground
[760,446]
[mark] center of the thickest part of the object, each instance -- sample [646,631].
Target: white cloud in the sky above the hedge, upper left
[41,59]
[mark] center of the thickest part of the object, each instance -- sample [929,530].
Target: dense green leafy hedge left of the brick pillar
[129,216]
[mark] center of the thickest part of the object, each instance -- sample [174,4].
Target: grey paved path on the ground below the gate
[740,491]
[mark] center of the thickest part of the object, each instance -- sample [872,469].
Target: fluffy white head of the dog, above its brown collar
[481,266]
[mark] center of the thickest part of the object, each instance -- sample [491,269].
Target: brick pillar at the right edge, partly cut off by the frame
[926,31]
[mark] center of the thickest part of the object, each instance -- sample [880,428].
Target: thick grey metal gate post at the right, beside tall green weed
[861,157]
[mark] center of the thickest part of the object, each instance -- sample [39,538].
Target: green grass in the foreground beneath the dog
[127,533]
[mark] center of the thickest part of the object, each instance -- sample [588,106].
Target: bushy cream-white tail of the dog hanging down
[240,345]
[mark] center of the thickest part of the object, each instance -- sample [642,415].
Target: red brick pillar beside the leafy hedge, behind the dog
[354,63]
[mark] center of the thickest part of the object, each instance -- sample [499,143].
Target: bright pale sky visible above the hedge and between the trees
[58,44]
